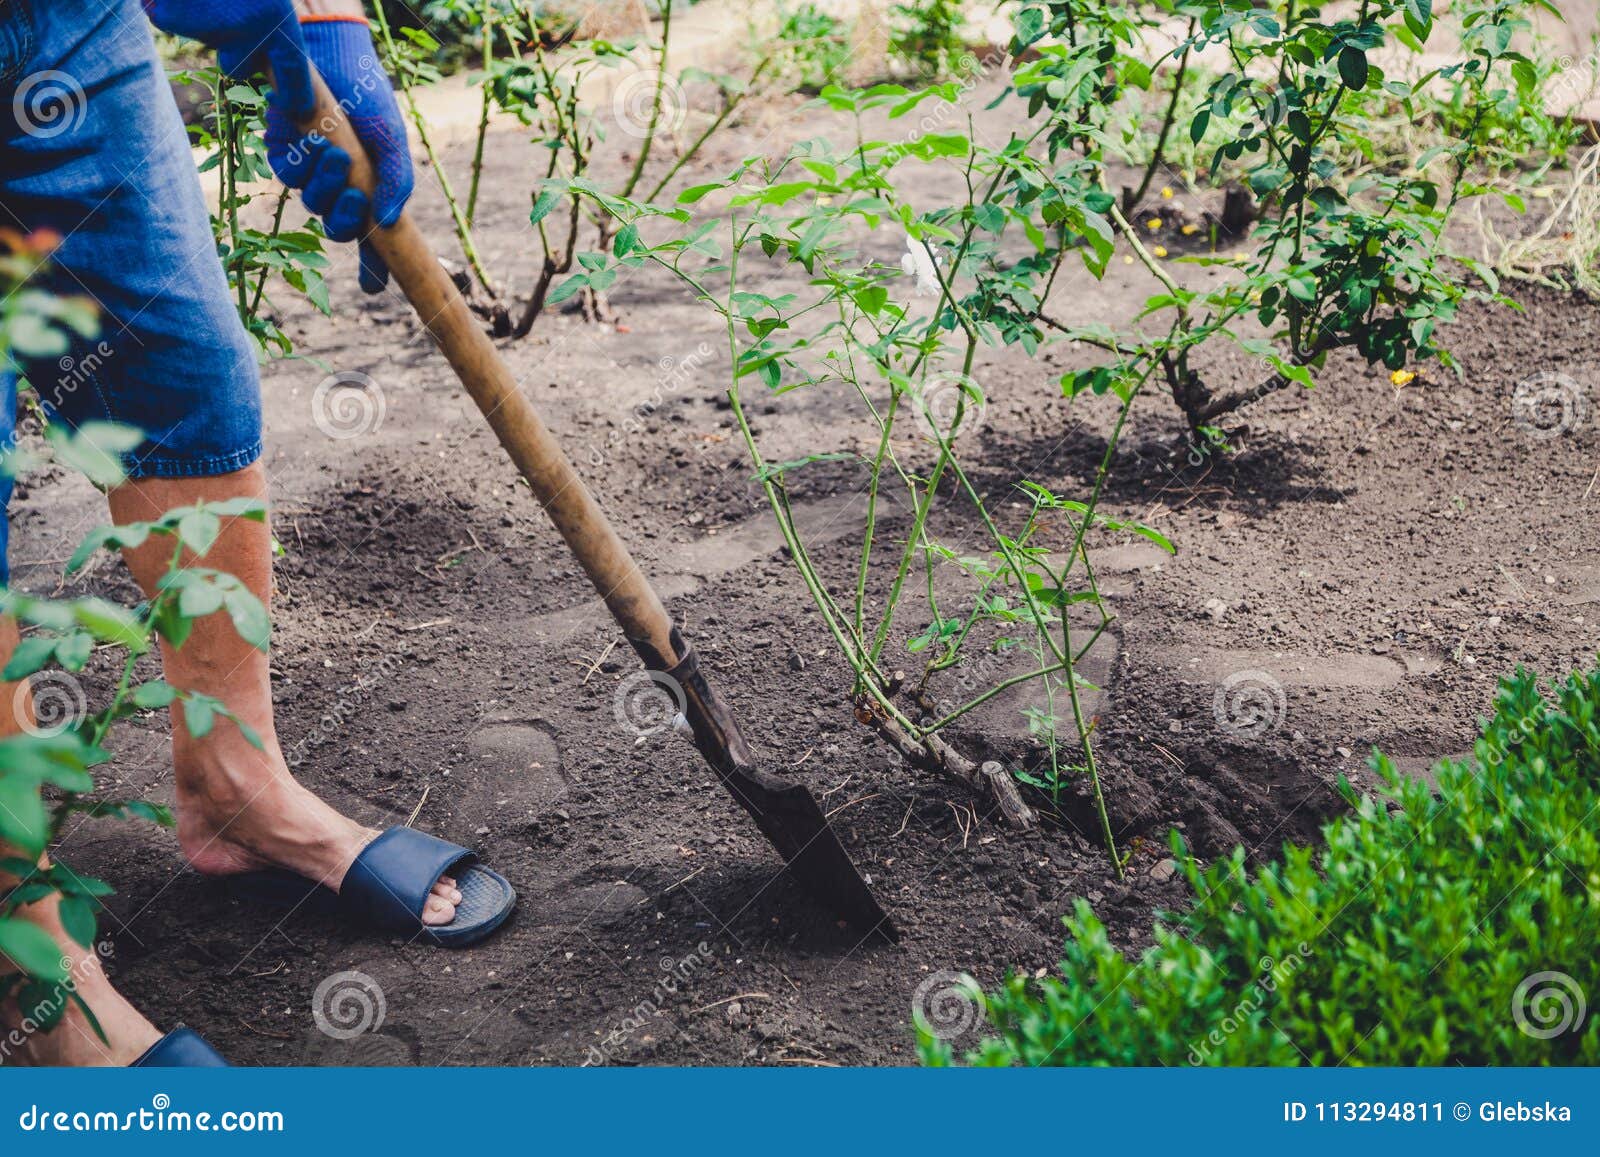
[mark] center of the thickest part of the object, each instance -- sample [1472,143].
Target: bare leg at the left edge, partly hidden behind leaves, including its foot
[73,1041]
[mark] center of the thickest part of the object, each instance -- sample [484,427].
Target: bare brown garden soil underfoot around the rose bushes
[1378,554]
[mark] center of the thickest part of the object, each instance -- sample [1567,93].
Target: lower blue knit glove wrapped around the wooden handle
[348,62]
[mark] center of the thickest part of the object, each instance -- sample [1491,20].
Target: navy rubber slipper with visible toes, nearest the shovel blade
[390,884]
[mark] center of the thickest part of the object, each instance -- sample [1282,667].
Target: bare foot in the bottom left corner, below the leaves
[73,1041]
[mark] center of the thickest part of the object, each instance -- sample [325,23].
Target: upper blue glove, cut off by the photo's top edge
[247,36]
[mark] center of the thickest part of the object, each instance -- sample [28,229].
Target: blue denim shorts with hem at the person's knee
[92,146]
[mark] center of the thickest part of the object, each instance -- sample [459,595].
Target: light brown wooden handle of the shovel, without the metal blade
[508,410]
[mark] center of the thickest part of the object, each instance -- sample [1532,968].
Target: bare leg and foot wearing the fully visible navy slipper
[239,807]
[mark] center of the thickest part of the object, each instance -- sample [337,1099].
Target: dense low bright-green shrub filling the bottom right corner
[1452,927]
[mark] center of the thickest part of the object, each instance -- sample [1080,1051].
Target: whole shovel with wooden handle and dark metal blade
[786,812]
